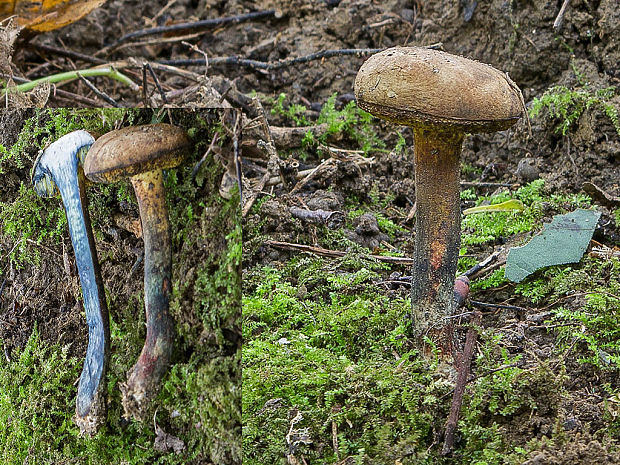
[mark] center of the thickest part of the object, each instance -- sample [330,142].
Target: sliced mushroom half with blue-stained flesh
[59,166]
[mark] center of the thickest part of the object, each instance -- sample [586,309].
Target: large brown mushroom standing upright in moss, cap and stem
[441,97]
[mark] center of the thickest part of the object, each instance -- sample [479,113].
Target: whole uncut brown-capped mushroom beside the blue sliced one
[141,153]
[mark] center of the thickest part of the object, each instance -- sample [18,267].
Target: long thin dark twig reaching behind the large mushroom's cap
[274,65]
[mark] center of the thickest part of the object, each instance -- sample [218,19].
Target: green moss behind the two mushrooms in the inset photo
[200,401]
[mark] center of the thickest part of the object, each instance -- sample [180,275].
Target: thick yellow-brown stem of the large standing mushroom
[438,225]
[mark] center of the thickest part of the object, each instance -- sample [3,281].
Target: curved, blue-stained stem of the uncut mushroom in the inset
[145,376]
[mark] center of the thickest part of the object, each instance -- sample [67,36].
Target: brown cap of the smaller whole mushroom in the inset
[136,149]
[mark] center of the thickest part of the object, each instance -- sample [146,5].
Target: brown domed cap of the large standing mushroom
[419,86]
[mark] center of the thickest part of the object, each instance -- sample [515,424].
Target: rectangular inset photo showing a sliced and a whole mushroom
[120,286]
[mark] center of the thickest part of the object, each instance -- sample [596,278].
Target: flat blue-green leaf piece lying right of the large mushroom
[564,240]
